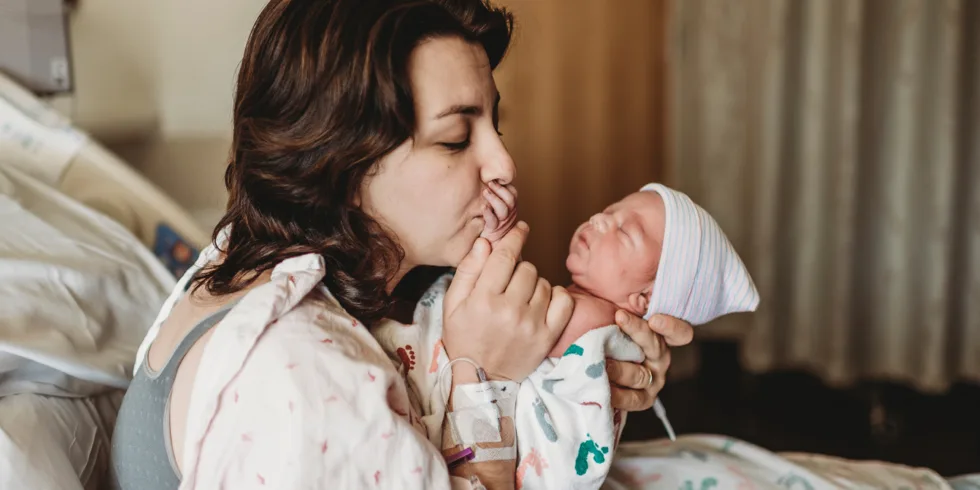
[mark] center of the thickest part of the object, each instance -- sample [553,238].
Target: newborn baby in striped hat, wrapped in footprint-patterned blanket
[653,252]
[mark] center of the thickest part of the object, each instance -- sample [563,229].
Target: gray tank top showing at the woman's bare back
[142,457]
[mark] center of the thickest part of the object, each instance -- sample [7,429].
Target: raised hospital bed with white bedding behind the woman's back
[88,252]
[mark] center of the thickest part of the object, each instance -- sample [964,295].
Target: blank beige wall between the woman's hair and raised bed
[154,82]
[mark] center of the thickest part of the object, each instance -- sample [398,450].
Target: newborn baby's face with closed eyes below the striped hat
[616,253]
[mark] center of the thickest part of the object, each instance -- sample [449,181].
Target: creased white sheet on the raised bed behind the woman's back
[78,293]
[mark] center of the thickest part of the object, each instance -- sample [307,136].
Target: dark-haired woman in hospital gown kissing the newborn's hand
[365,135]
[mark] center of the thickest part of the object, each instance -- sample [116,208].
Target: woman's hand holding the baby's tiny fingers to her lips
[499,313]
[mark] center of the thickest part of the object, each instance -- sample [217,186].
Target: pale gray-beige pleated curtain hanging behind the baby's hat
[837,142]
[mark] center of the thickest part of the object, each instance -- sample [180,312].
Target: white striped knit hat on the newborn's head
[700,277]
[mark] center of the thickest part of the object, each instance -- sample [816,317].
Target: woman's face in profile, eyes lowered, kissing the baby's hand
[428,190]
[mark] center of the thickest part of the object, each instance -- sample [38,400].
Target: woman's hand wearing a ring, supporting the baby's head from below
[635,386]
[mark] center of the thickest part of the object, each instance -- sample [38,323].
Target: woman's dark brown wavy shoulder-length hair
[323,93]
